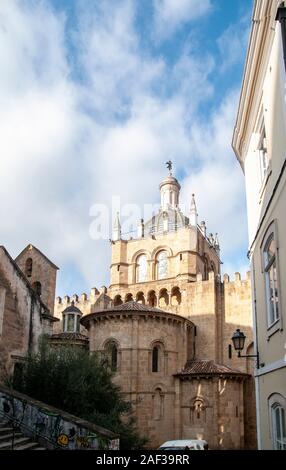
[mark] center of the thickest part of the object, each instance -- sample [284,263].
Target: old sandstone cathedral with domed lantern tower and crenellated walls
[166,322]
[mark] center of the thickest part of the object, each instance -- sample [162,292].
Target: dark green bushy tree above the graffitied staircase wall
[81,384]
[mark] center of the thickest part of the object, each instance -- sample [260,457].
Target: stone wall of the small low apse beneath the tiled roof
[212,409]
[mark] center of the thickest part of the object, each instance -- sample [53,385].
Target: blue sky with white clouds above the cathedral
[95,97]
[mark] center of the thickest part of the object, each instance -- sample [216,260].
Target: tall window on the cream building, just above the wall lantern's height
[271,281]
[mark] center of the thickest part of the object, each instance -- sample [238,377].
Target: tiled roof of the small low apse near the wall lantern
[207,368]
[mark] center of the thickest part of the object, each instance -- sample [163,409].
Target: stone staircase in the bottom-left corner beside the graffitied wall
[21,442]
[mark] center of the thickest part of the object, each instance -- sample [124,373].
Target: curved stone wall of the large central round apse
[151,393]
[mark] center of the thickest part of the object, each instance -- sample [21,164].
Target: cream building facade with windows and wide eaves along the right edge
[259,142]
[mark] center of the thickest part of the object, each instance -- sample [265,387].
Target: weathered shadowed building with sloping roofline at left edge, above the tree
[24,318]
